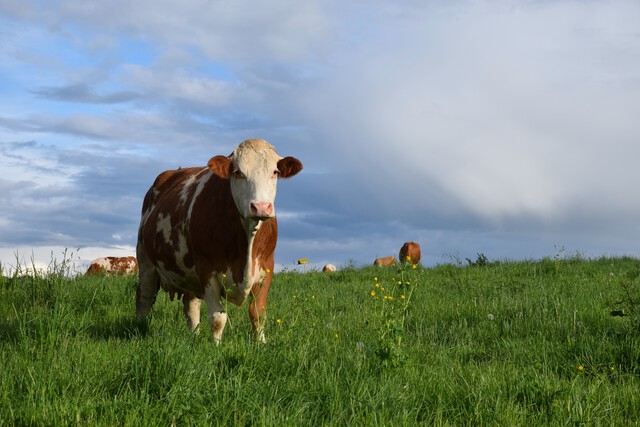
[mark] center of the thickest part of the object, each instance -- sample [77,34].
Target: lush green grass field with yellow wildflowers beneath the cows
[477,343]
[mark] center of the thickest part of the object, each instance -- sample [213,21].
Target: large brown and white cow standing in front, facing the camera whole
[210,233]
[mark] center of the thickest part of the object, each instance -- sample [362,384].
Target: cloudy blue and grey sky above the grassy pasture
[506,128]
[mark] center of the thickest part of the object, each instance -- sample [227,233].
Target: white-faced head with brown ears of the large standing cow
[253,169]
